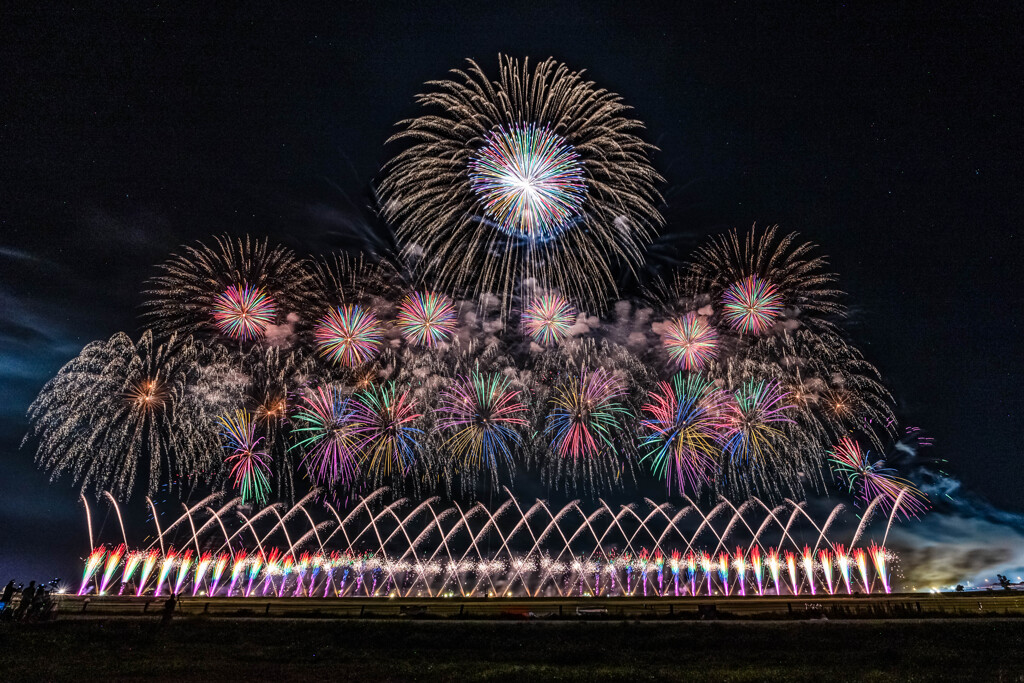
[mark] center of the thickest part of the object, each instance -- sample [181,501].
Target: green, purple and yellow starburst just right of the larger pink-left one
[752,420]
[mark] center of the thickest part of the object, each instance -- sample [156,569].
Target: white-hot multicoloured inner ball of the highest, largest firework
[530,182]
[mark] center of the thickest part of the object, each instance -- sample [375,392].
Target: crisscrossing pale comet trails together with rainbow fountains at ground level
[403,549]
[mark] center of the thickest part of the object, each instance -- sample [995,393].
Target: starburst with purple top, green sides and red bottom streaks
[586,412]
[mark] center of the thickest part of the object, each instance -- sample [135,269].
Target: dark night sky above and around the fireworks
[891,137]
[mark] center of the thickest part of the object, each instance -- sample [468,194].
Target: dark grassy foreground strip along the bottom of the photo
[203,649]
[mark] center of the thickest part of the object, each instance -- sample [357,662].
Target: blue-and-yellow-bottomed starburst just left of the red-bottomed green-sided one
[485,415]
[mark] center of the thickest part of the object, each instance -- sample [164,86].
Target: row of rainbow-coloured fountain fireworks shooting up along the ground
[345,575]
